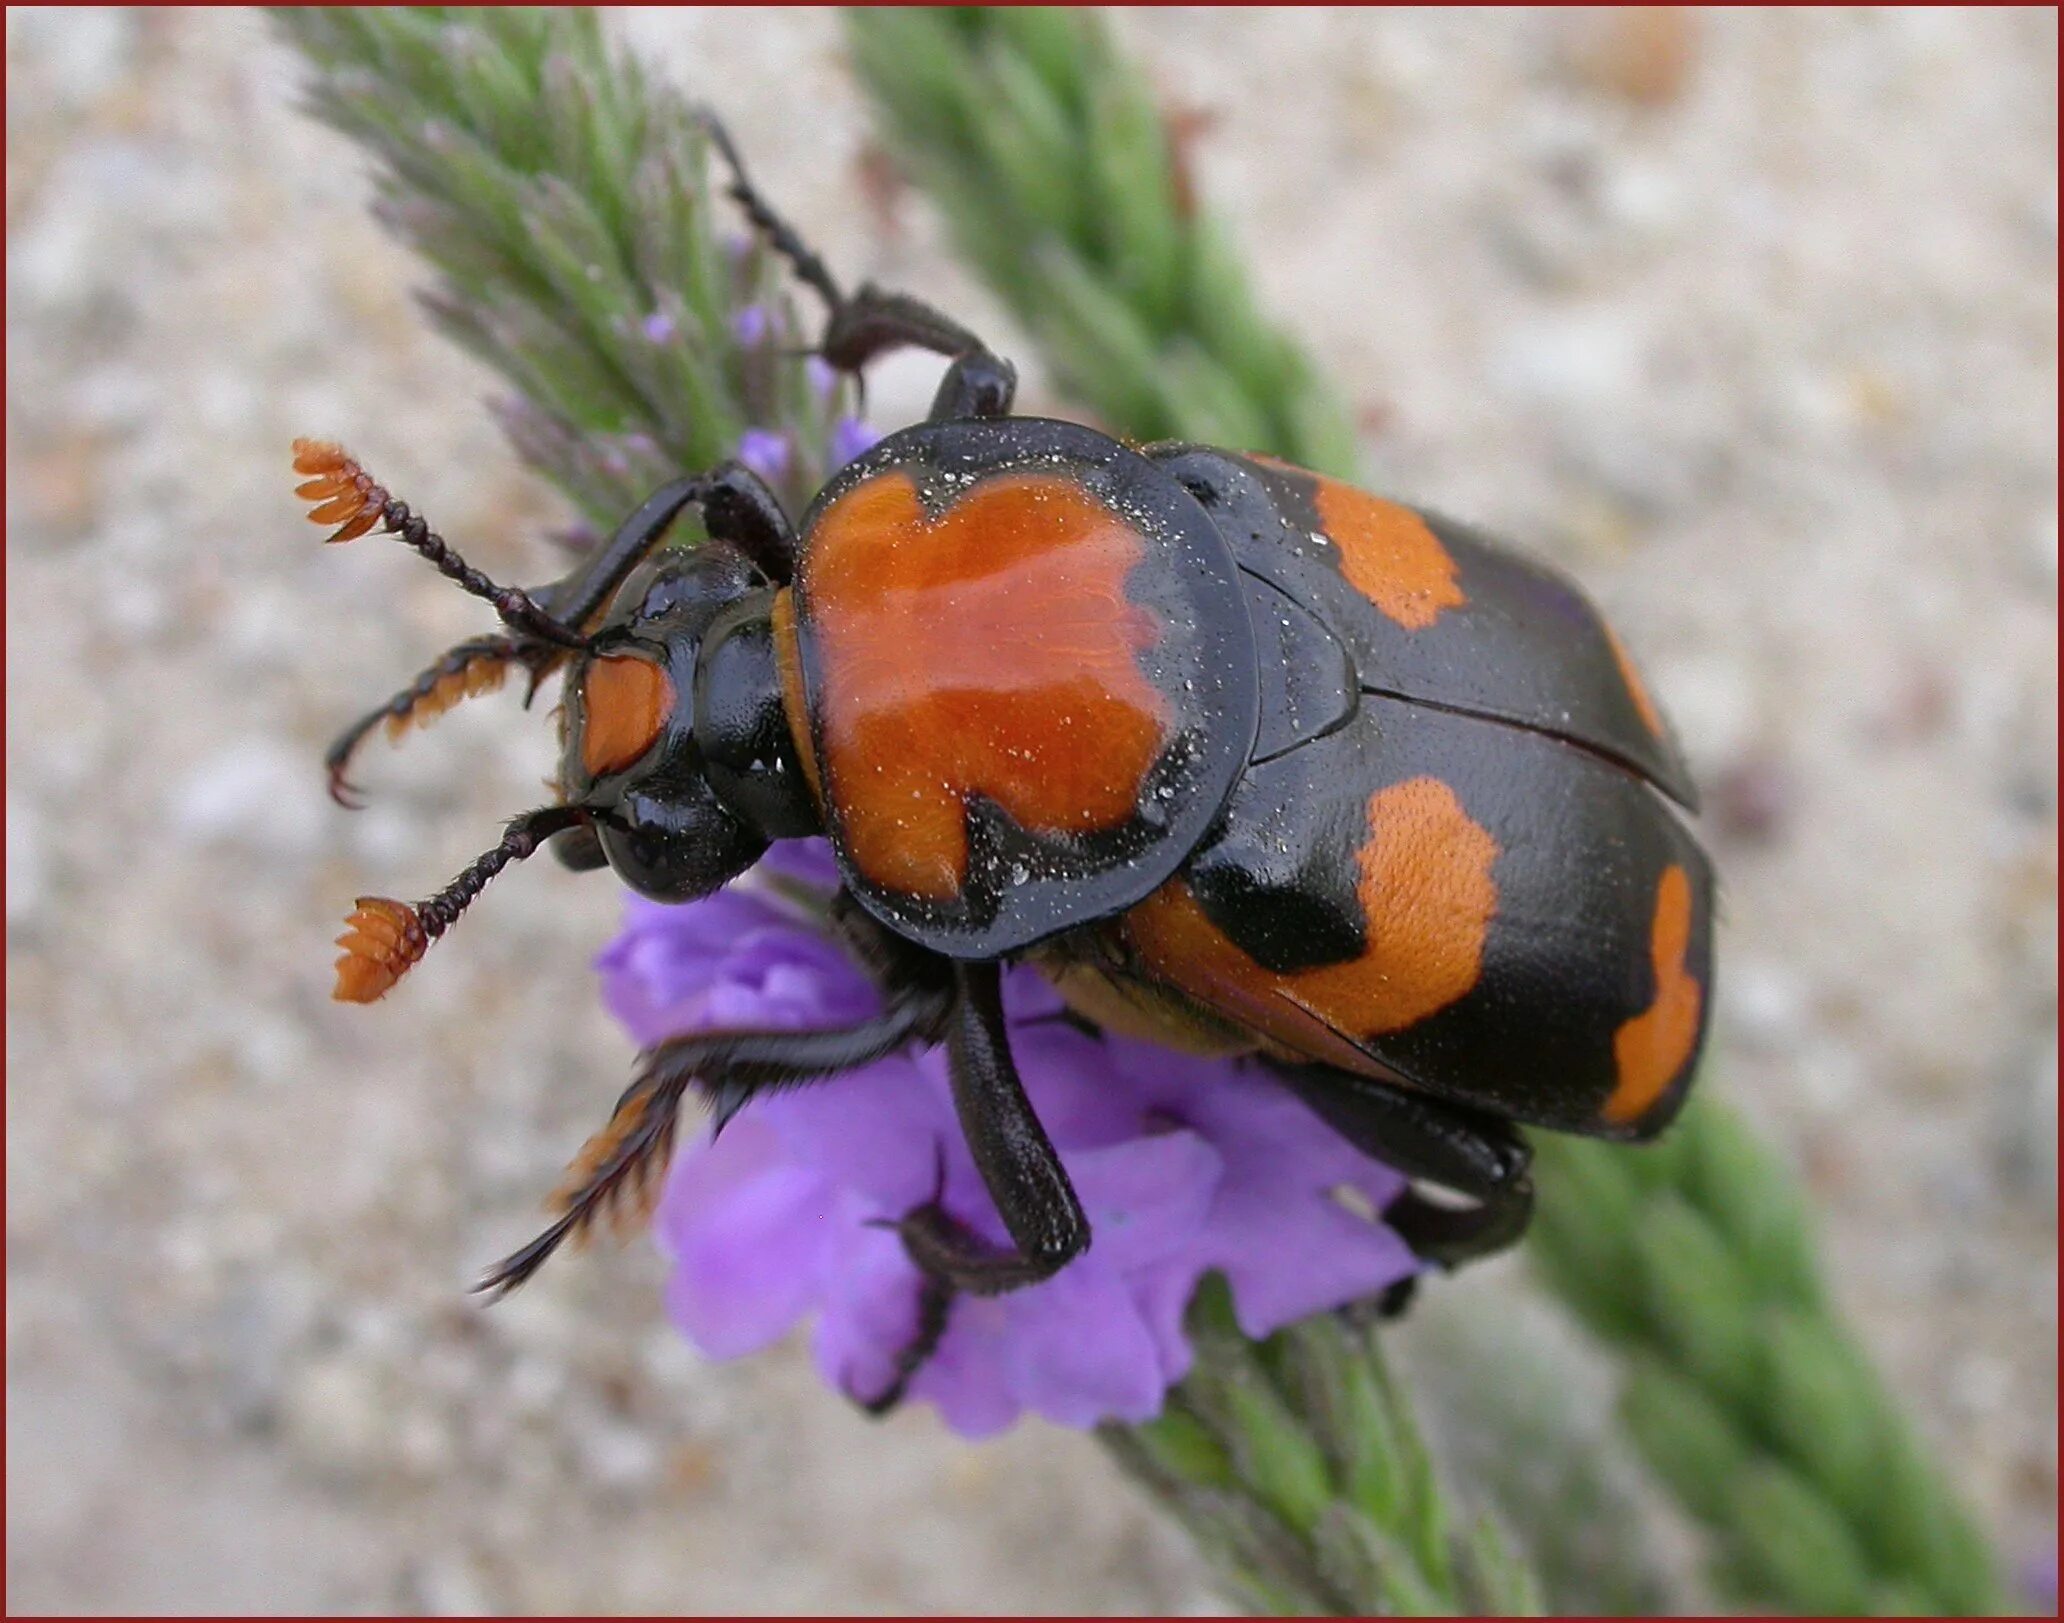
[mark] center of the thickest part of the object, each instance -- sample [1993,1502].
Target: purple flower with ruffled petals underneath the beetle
[1184,1166]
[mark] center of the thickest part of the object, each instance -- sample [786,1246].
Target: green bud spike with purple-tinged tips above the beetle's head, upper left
[565,201]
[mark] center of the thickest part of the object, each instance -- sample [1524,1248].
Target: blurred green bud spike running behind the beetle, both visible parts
[1743,1389]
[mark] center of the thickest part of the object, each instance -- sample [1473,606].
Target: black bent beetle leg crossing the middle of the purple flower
[1012,1153]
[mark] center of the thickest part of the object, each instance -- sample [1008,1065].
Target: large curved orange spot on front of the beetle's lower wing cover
[1427,903]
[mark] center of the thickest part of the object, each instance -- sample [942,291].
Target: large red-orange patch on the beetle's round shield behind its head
[983,651]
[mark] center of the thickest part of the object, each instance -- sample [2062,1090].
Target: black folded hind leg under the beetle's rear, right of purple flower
[1429,1139]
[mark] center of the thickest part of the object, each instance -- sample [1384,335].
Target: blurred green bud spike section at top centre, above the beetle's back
[1066,189]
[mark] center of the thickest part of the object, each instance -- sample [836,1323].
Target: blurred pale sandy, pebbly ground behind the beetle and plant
[1749,319]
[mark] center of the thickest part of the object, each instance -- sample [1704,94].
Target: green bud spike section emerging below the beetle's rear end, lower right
[1747,1395]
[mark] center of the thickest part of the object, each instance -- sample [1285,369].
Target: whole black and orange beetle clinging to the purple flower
[1241,757]
